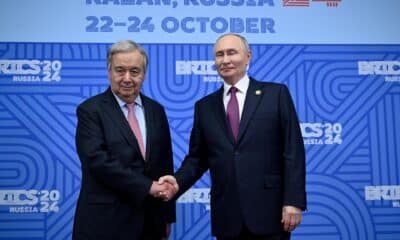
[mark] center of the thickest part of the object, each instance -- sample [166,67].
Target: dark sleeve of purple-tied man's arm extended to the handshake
[195,163]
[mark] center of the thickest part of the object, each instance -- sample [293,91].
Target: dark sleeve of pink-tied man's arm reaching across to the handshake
[96,159]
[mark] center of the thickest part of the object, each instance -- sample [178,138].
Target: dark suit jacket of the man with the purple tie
[254,177]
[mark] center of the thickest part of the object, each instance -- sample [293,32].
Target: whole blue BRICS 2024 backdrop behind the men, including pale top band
[340,60]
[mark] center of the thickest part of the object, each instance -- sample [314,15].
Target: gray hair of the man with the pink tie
[126,46]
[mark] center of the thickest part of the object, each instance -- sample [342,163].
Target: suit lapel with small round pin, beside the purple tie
[253,97]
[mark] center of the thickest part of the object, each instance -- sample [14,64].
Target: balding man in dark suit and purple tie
[249,138]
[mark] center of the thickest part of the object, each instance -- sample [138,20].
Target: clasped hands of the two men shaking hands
[165,188]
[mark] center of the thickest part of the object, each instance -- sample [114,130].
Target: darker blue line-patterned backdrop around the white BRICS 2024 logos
[37,128]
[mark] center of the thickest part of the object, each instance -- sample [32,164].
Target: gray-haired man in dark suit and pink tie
[124,145]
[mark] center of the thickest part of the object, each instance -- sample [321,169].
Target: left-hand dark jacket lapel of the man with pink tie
[113,110]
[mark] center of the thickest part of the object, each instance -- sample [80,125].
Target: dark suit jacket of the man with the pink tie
[114,199]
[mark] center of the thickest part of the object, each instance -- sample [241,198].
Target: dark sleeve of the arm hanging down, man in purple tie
[293,153]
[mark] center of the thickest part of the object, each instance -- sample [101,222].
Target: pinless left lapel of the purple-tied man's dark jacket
[219,110]
